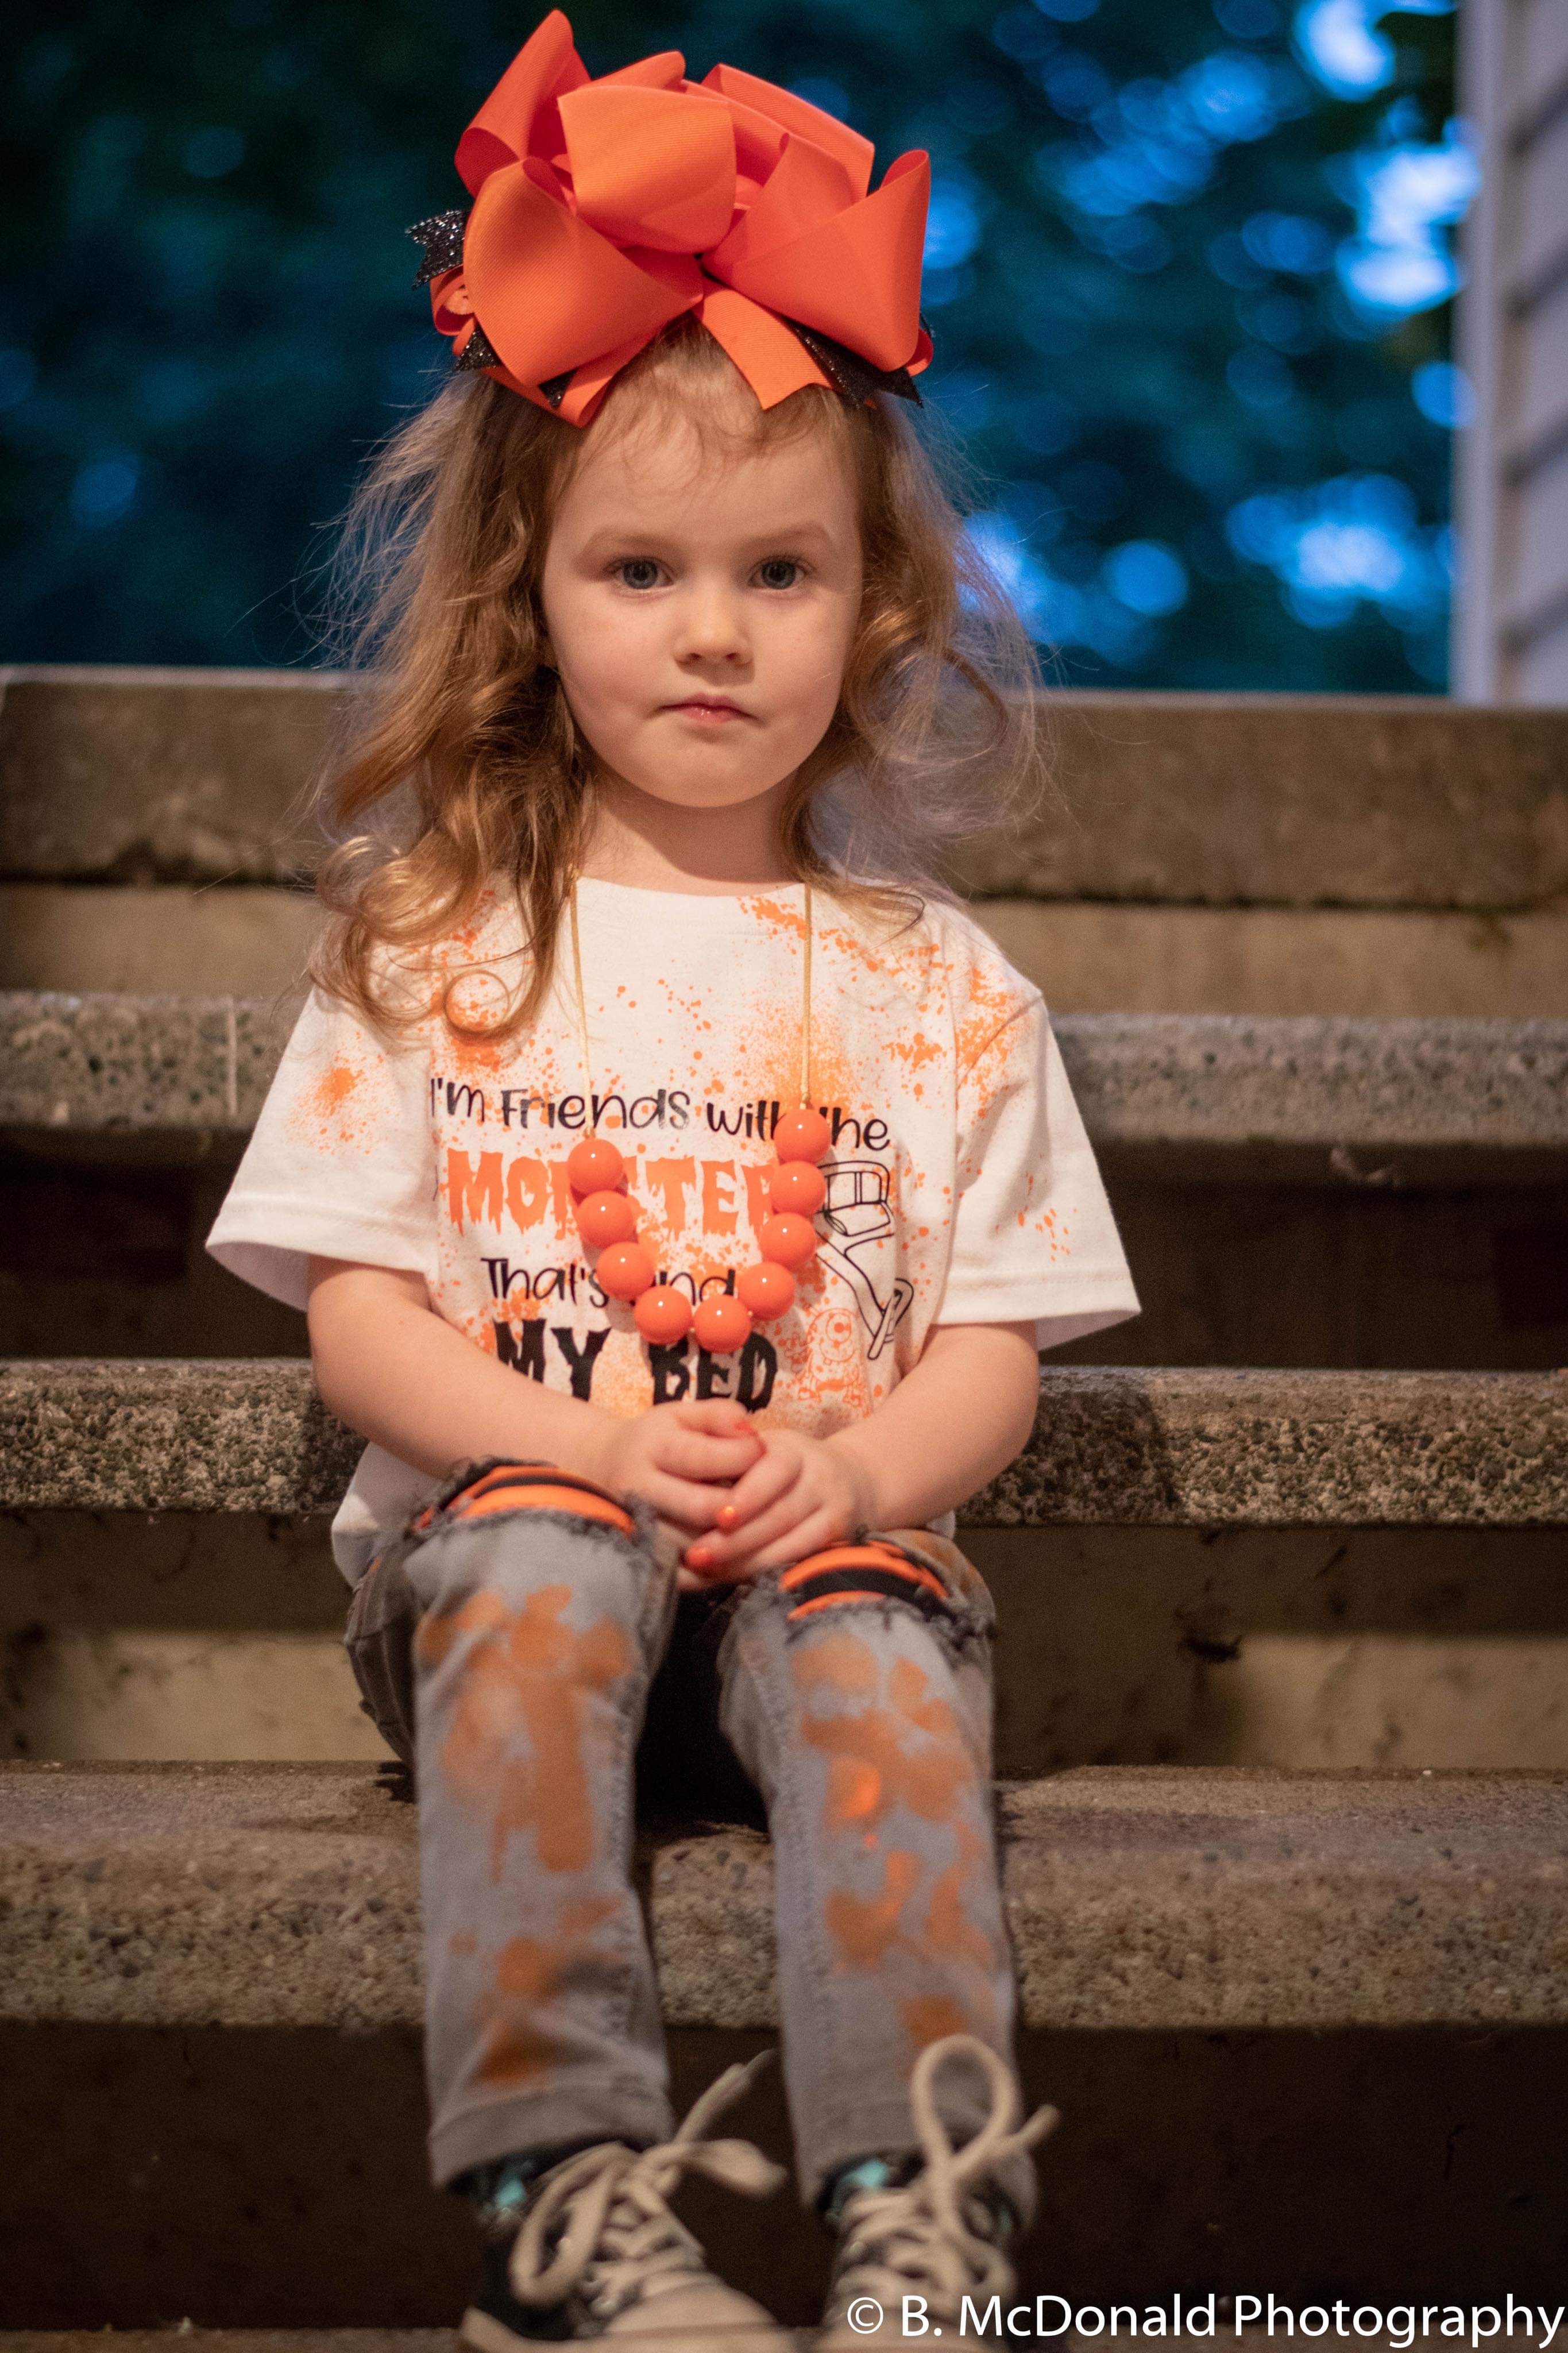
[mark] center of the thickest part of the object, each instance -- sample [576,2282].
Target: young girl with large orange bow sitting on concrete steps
[681,1189]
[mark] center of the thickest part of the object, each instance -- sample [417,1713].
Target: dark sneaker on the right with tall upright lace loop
[937,2234]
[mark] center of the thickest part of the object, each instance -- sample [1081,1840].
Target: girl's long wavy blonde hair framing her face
[462,768]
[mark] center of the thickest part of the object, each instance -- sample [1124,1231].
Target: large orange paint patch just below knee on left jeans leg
[528,1674]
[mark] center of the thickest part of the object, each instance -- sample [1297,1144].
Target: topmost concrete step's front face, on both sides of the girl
[1217,799]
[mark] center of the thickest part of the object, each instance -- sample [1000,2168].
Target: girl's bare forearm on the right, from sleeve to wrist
[951,1425]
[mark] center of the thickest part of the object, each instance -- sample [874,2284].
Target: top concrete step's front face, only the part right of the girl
[1292,801]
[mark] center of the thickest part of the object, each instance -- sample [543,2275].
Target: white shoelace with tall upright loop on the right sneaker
[920,2237]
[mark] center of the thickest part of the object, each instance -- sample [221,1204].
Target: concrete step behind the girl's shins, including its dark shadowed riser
[274,2175]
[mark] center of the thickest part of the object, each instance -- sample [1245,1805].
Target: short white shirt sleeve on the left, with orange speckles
[340,1164]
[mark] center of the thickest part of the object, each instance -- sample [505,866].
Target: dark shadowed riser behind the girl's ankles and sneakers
[276,2180]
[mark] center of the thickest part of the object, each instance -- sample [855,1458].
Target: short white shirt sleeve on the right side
[1033,1232]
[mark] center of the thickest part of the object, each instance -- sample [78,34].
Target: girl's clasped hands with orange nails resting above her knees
[742,1498]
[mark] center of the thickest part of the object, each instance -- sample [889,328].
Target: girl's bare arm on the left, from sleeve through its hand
[394,1371]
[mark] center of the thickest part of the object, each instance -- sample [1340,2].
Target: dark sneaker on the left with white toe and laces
[598,2253]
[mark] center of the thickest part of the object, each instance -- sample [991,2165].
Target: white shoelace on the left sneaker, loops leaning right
[622,2241]
